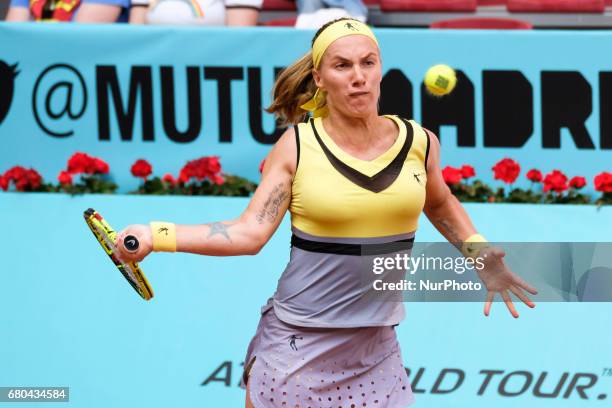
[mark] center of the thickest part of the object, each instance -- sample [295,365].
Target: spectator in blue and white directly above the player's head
[315,13]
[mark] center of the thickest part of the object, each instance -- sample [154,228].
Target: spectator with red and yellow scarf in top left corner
[83,11]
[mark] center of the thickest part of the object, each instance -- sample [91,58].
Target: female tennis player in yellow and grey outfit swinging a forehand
[351,179]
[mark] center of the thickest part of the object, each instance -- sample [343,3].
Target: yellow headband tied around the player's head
[334,31]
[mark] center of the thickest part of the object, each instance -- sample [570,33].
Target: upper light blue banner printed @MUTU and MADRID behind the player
[169,95]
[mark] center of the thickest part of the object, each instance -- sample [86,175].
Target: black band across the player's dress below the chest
[351,249]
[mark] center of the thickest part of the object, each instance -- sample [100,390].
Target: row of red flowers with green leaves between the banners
[204,176]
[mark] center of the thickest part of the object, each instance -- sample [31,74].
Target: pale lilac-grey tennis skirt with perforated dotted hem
[290,366]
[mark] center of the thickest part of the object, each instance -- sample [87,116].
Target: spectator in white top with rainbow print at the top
[204,12]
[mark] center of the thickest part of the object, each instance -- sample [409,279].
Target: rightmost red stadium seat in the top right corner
[556,6]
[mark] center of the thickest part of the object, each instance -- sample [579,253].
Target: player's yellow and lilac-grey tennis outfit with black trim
[322,340]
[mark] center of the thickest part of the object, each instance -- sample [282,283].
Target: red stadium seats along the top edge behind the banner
[438,13]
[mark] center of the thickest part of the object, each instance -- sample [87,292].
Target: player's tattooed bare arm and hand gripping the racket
[245,235]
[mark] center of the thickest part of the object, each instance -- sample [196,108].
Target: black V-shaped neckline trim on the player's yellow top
[379,181]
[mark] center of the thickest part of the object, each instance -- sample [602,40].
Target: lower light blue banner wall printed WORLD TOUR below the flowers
[69,319]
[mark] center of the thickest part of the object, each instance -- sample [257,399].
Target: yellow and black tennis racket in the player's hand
[106,237]
